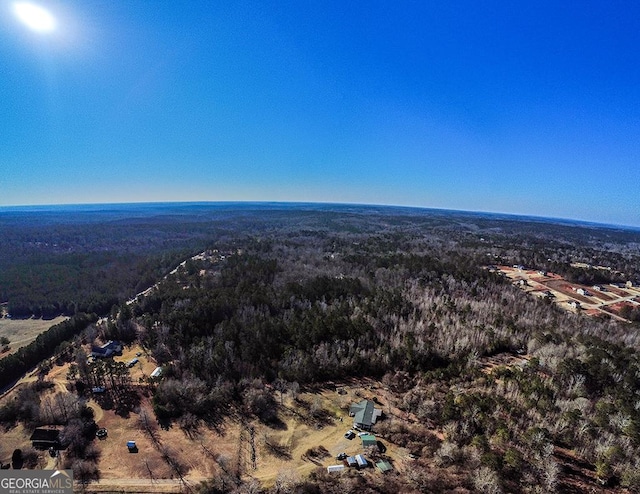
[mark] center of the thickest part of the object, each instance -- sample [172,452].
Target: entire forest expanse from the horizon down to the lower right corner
[306,295]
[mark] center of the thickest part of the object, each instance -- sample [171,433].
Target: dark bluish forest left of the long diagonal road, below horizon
[68,262]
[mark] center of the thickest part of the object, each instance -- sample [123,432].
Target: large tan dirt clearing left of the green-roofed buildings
[248,447]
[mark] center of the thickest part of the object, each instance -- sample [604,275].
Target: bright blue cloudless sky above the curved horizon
[526,108]
